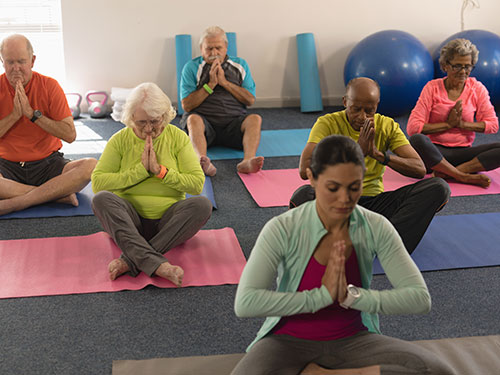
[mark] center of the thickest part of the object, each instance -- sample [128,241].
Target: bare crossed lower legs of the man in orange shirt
[15,196]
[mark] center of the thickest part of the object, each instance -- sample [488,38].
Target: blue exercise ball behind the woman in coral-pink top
[487,69]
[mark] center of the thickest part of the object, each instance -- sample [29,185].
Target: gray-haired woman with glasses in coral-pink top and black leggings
[448,113]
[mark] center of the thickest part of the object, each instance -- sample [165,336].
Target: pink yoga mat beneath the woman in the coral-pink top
[393,180]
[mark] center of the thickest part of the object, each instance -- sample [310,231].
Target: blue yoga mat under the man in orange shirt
[84,208]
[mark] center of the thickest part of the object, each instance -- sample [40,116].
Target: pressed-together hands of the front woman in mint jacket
[334,277]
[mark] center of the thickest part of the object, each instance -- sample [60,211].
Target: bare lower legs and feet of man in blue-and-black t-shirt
[250,128]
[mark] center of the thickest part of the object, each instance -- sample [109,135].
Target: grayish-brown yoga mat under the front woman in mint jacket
[466,355]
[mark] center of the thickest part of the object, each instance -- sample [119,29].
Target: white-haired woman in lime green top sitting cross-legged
[141,181]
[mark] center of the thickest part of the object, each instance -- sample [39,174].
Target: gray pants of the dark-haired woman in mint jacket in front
[287,355]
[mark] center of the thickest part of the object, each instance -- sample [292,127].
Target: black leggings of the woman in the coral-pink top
[432,154]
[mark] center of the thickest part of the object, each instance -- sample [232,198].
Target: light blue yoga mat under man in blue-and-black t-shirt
[288,142]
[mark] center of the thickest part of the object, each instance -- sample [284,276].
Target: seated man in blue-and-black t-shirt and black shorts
[215,91]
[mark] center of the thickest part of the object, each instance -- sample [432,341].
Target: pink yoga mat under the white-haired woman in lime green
[73,265]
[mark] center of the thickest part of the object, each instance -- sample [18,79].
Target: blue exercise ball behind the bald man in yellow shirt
[400,64]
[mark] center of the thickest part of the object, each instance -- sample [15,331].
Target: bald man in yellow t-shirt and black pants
[410,208]
